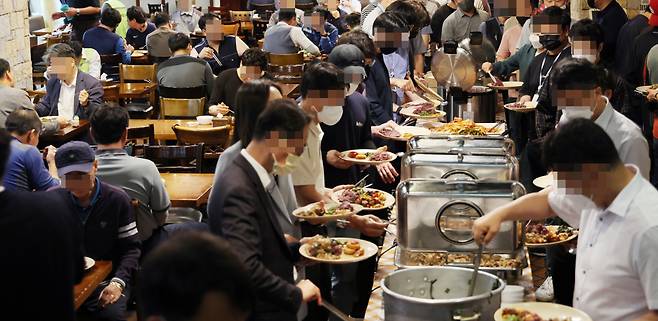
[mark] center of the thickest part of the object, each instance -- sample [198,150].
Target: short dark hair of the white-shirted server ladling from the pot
[577,142]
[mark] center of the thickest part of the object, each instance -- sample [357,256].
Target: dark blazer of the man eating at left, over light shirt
[48,105]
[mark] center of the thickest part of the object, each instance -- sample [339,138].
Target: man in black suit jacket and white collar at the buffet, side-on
[243,210]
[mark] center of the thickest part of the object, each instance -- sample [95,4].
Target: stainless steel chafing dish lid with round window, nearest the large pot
[437,215]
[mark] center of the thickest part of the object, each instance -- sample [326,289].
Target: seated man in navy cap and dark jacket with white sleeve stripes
[108,224]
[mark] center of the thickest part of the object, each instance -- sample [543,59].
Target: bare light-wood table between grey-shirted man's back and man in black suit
[187,189]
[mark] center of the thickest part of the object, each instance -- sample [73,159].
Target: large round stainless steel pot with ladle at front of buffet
[440,294]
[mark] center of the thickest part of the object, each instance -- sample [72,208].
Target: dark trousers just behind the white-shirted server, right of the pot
[563,271]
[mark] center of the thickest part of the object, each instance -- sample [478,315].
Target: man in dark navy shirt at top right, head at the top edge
[611,17]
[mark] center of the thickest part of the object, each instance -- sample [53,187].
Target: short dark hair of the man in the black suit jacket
[280,115]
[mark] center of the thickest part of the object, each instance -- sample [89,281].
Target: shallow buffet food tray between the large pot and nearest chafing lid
[405,259]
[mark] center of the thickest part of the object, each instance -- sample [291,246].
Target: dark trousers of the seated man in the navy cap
[90,310]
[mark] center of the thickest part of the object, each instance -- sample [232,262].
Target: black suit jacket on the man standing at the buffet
[242,212]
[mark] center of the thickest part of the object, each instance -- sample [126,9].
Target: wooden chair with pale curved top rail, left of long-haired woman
[215,139]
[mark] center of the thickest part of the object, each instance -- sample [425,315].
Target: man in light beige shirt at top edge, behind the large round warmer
[466,19]
